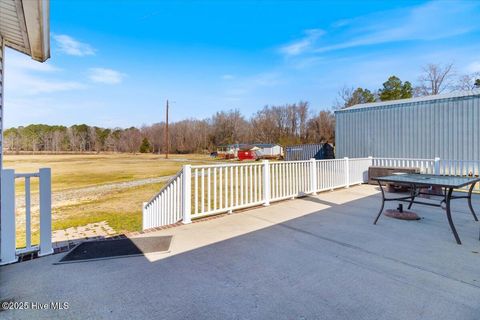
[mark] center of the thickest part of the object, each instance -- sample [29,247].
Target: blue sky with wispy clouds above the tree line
[114,63]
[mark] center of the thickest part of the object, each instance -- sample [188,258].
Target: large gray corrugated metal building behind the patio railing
[445,126]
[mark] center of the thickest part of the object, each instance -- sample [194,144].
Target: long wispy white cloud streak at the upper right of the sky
[430,21]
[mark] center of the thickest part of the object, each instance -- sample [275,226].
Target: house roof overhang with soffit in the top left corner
[25,27]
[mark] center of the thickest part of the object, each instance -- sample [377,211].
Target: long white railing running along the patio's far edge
[199,191]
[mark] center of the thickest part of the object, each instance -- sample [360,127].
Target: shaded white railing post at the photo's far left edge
[7,212]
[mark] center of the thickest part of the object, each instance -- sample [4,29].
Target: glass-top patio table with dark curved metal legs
[417,182]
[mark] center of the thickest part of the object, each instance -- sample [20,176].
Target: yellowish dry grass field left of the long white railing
[93,188]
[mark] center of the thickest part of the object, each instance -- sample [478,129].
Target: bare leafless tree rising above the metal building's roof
[435,79]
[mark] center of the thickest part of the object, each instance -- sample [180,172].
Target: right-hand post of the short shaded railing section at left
[45,189]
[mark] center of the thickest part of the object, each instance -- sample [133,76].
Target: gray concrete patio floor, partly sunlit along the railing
[311,258]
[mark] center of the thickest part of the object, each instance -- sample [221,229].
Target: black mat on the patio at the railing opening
[106,249]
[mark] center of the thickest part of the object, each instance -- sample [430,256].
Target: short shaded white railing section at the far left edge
[8,227]
